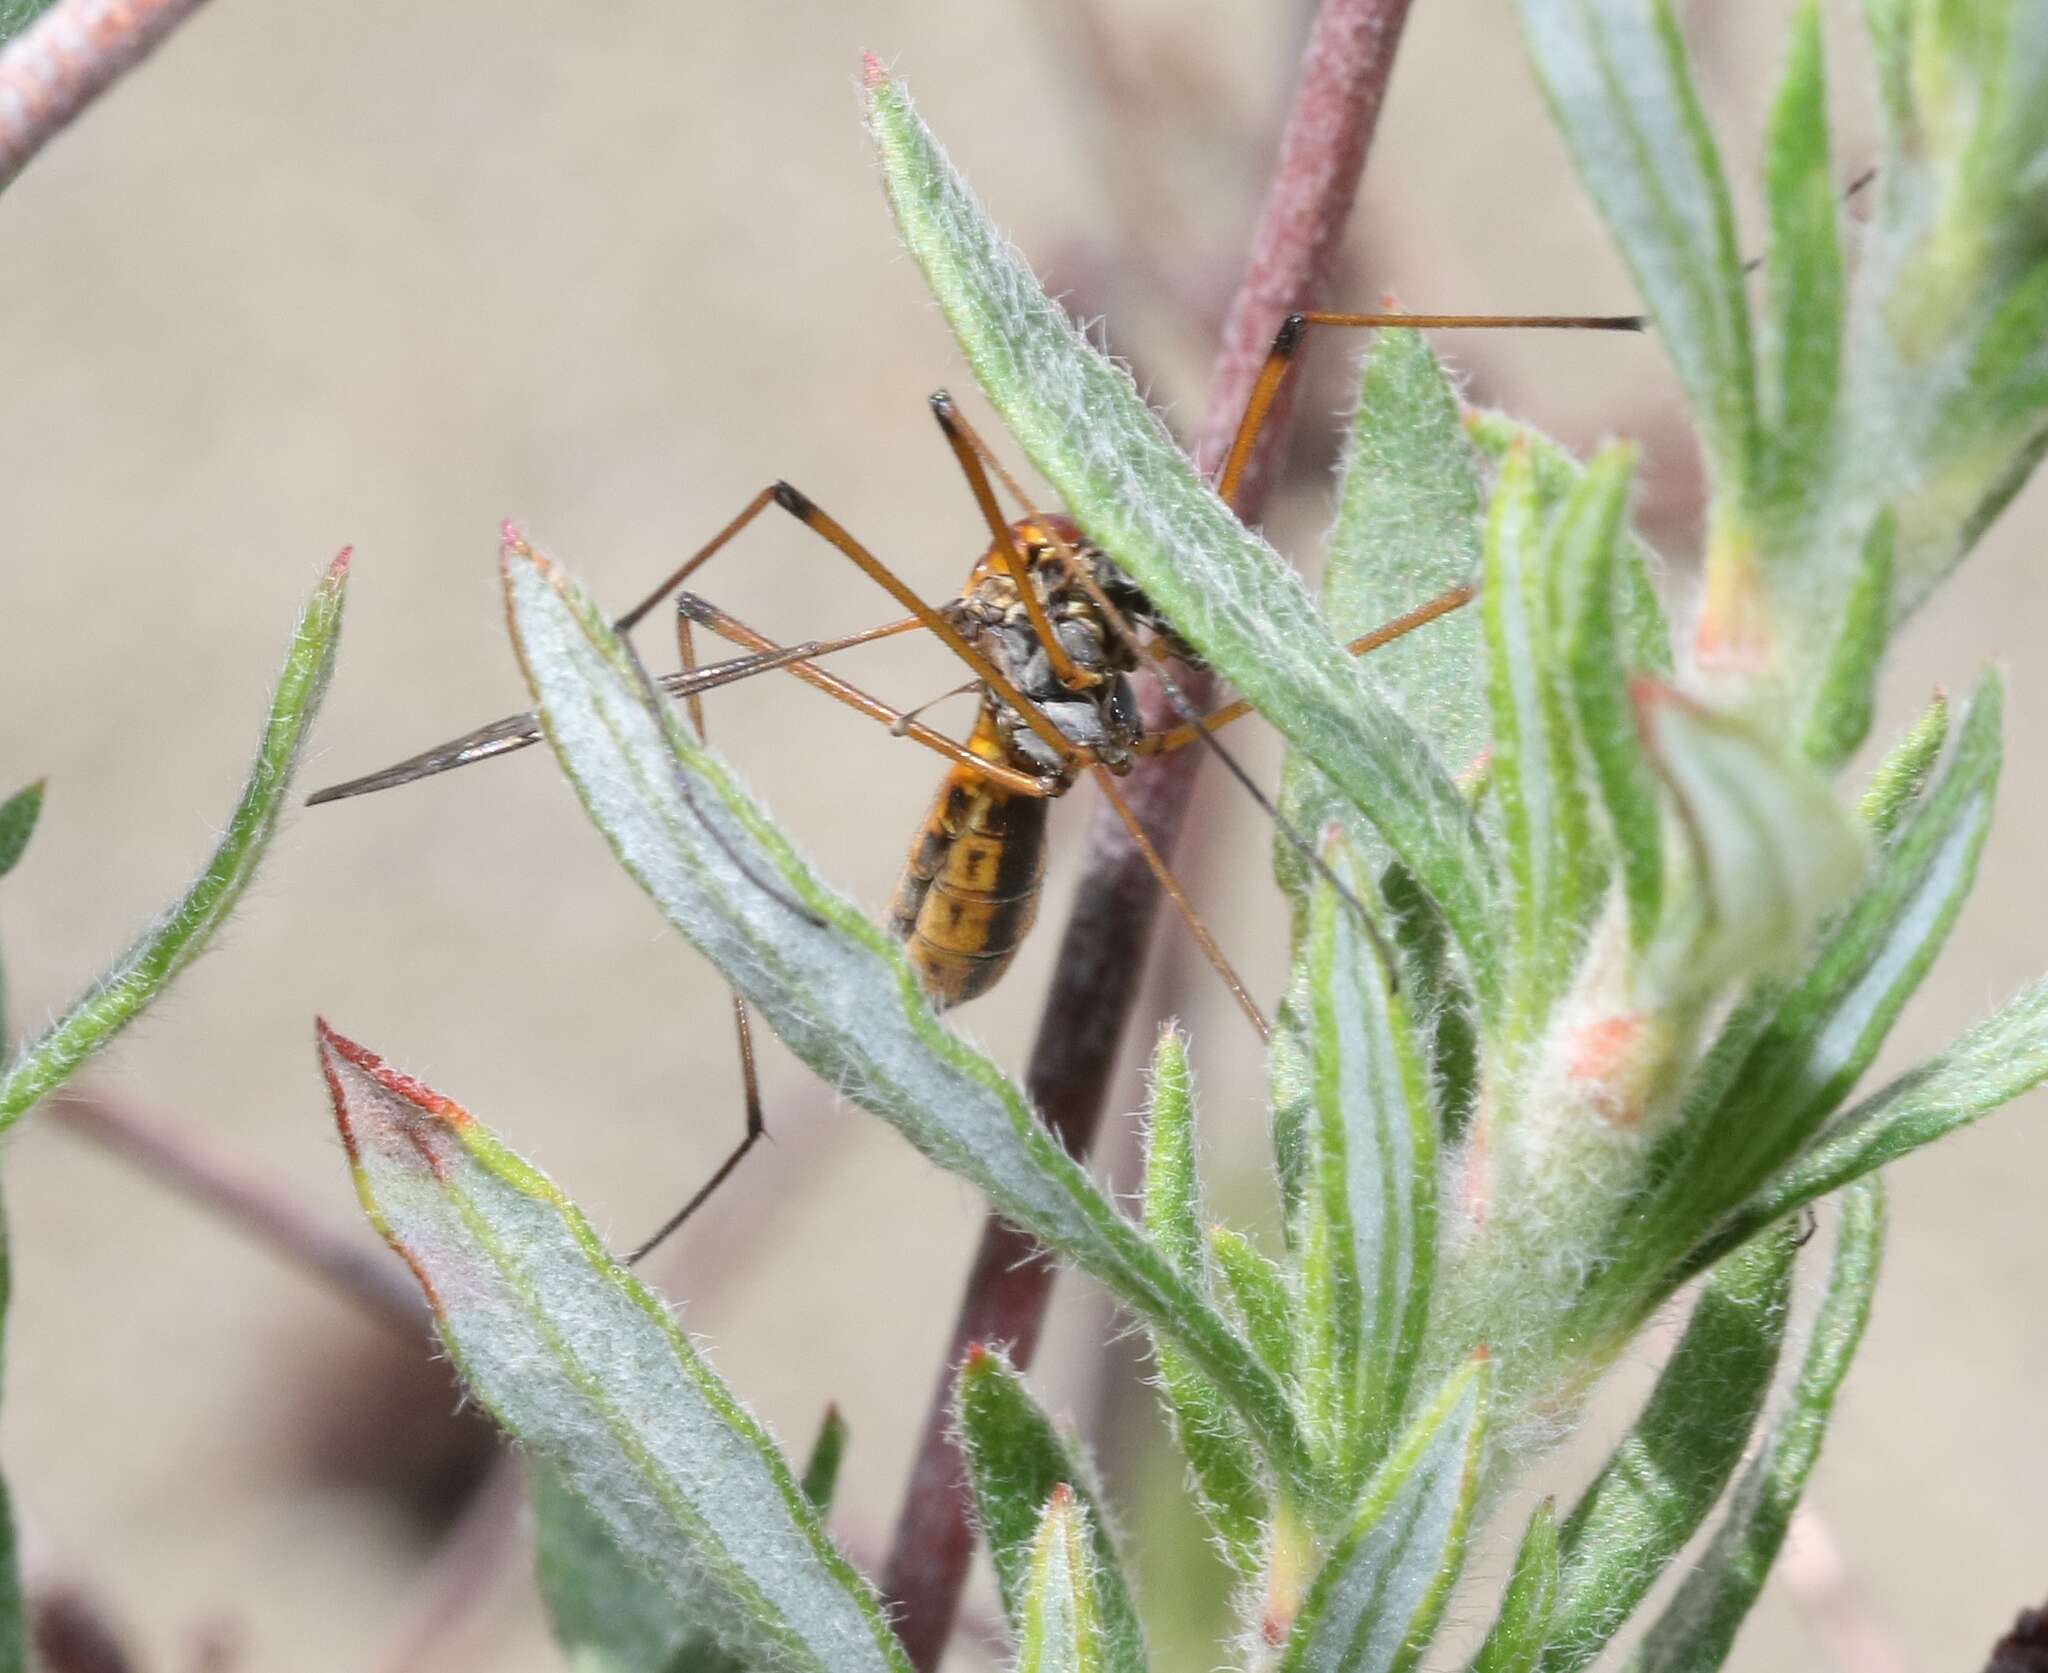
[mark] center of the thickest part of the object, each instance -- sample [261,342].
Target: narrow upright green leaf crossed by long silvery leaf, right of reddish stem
[1211,1436]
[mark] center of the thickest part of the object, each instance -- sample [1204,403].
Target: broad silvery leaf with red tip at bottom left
[597,1383]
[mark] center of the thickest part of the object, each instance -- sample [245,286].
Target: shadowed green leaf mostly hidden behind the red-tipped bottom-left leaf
[613,1617]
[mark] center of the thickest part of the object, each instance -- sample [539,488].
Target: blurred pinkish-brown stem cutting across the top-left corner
[69,58]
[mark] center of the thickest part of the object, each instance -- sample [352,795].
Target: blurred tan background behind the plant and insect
[384,275]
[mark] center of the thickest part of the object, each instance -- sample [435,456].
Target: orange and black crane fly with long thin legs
[1052,634]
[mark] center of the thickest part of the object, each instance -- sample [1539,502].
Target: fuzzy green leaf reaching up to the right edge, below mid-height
[1992,1066]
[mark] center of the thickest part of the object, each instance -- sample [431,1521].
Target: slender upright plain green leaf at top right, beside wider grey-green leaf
[1803,351]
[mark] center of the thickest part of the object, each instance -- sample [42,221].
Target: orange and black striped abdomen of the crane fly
[970,888]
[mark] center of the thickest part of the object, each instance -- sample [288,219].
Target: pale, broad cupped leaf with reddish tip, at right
[1775,851]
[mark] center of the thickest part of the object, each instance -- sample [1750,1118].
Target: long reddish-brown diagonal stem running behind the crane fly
[1101,957]
